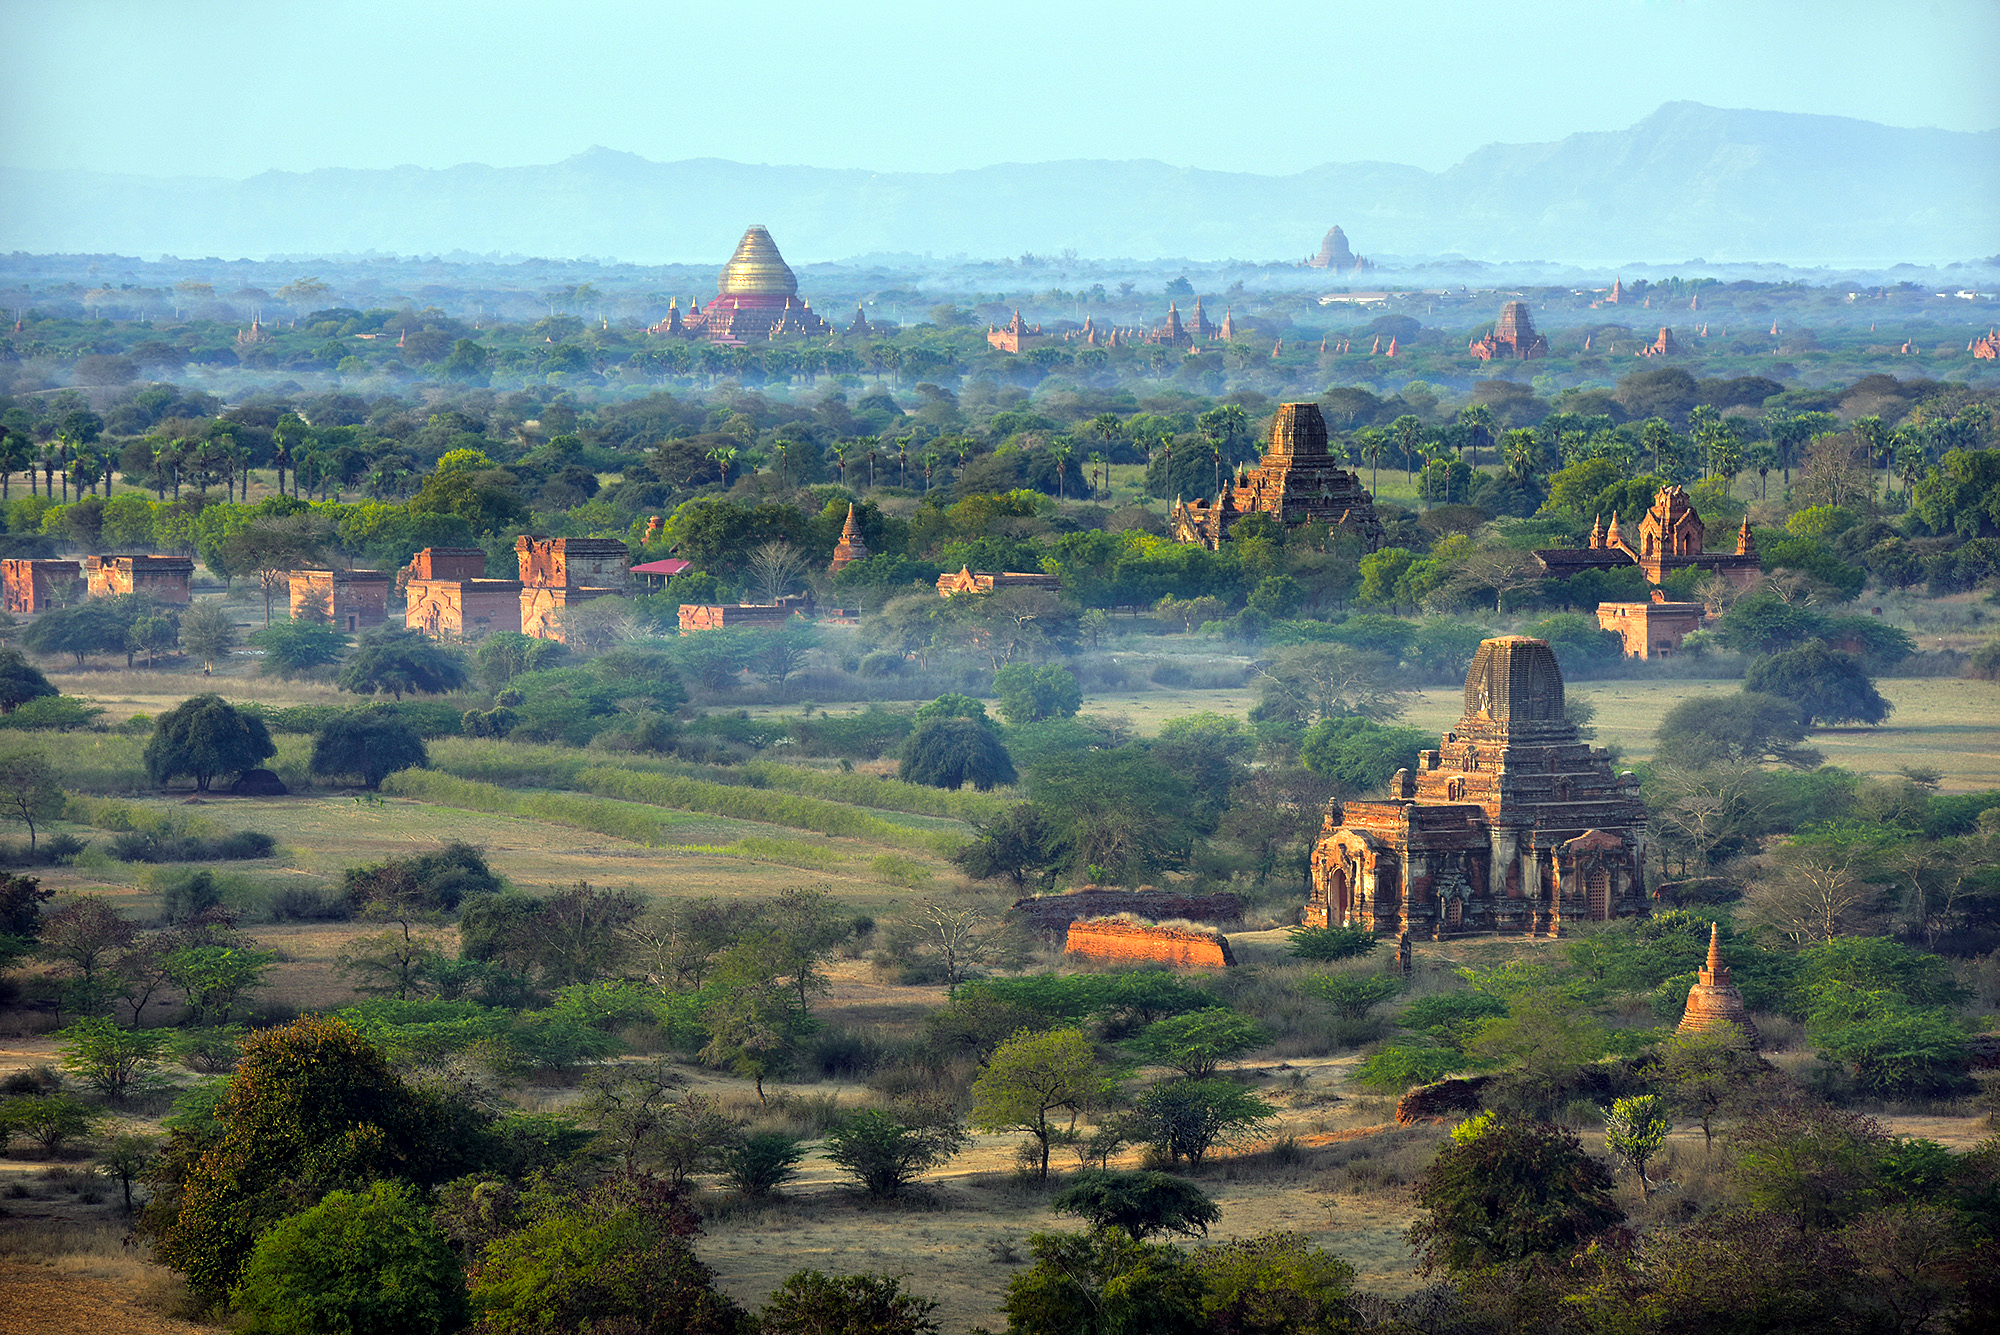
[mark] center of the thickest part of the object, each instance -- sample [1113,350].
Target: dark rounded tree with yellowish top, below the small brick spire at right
[1505,1190]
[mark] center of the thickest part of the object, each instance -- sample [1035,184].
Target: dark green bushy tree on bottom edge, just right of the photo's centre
[1105,1284]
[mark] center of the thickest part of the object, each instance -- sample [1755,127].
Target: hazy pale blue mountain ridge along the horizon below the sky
[1685,183]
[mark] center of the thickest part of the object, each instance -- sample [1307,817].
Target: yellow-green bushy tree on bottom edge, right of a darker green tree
[1275,1284]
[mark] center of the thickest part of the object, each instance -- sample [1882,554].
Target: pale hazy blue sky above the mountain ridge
[231,87]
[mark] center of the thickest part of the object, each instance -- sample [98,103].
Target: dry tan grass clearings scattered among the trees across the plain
[1339,1176]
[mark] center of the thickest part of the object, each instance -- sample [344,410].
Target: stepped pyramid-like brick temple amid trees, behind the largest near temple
[1297,483]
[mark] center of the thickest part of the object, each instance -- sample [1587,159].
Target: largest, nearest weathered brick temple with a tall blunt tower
[1513,824]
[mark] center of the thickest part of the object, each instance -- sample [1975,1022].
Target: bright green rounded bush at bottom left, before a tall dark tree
[357,1262]
